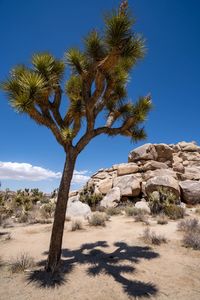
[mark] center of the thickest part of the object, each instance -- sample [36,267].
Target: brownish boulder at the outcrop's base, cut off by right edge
[190,191]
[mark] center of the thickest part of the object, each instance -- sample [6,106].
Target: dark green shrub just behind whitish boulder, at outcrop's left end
[88,195]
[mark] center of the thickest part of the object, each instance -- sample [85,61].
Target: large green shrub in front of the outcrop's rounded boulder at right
[160,199]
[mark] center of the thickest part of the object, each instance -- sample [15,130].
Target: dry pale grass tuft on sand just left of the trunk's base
[21,263]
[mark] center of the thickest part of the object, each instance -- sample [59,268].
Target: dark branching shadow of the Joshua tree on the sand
[114,264]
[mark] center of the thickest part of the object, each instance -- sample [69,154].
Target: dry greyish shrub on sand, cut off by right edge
[191,229]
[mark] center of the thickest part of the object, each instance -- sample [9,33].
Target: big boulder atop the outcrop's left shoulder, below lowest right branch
[145,152]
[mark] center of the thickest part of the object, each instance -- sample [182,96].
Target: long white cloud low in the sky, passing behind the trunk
[25,171]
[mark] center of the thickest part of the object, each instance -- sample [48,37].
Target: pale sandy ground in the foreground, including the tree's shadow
[103,264]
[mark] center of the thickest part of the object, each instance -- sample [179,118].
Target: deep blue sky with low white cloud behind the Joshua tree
[170,72]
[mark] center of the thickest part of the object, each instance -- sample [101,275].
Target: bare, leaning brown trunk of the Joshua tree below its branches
[59,218]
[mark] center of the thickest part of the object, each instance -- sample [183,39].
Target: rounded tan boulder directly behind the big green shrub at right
[168,182]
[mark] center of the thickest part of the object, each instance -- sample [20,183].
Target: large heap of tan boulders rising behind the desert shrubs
[149,167]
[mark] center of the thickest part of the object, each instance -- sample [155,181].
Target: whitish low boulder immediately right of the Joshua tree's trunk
[76,208]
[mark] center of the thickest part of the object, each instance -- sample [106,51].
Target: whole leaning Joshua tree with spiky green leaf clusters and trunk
[96,85]
